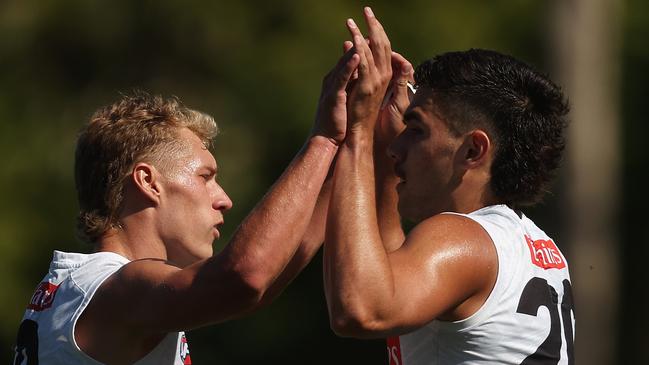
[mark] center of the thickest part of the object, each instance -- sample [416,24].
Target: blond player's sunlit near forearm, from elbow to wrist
[268,238]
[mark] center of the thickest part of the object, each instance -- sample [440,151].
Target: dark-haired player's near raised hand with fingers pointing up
[374,73]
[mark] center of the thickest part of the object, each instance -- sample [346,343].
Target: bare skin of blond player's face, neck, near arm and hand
[167,226]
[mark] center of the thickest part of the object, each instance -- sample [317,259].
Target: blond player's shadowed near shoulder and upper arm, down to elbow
[151,296]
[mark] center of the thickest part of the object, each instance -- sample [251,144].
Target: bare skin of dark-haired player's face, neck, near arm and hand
[446,267]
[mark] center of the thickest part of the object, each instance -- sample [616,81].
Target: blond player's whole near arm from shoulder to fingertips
[148,298]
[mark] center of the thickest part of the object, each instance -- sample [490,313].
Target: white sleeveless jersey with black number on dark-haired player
[527,319]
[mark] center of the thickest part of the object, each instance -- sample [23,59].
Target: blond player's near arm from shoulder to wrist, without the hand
[233,282]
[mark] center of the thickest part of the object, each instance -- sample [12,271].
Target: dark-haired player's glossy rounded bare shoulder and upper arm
[453,258]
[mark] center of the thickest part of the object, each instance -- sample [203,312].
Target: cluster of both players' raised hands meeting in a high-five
[355,92]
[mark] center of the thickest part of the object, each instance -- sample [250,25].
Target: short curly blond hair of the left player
[136,128]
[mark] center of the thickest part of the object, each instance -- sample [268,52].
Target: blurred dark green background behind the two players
[257,68]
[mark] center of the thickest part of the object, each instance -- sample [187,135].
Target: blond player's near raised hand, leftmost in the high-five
[331,115]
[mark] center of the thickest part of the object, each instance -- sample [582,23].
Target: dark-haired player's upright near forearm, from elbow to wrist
[357,271]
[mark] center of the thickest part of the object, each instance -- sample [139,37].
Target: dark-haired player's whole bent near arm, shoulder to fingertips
[443,269]
